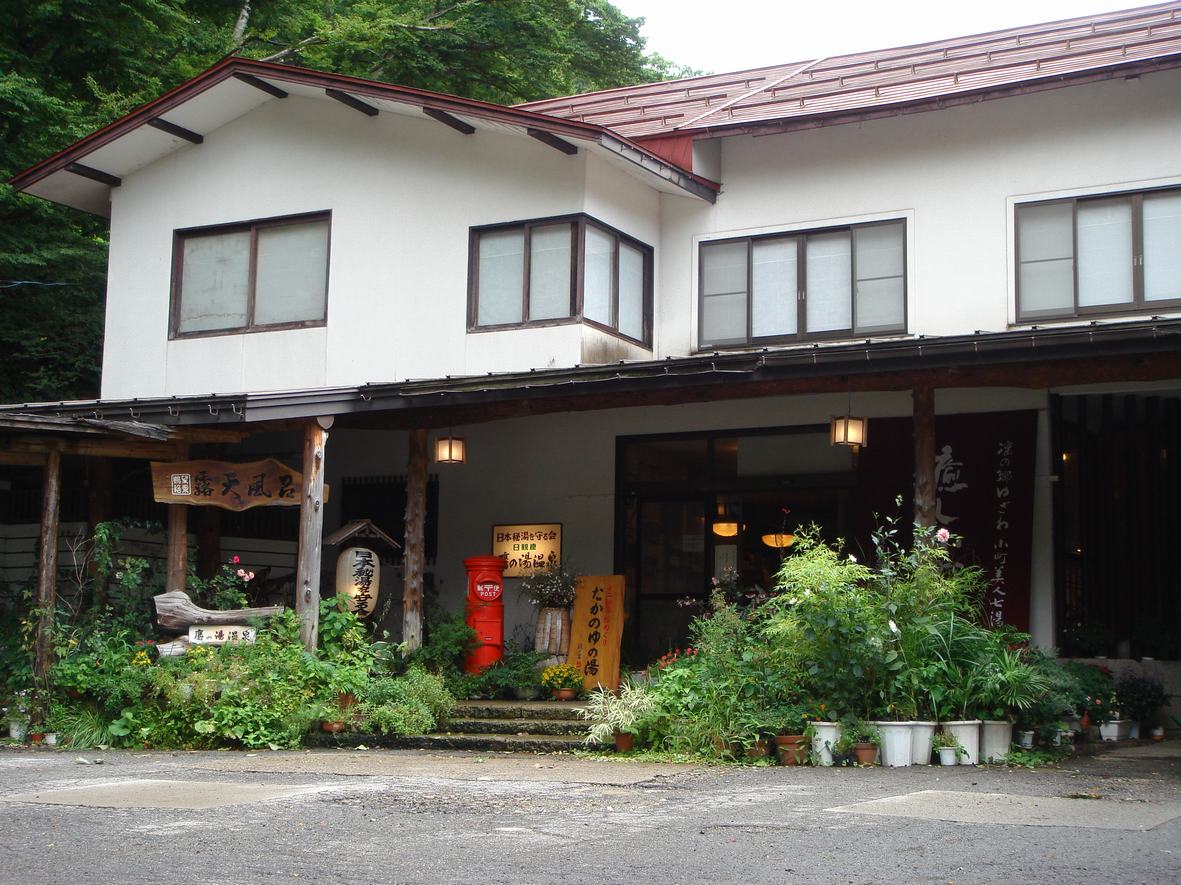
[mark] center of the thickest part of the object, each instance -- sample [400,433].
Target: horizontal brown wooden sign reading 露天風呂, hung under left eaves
[230,486]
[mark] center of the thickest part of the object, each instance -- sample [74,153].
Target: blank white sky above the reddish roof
[723,36]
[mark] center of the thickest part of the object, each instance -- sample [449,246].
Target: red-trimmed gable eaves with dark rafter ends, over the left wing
[83,174]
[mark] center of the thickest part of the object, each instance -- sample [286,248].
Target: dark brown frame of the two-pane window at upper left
[253,226]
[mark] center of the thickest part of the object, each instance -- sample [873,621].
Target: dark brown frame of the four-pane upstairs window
[802,335]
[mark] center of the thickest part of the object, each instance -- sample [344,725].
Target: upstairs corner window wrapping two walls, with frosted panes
[562,270]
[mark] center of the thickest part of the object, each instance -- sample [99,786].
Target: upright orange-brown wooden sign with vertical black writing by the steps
[597,629]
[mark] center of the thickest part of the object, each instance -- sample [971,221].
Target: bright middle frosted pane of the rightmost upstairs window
[1105,252]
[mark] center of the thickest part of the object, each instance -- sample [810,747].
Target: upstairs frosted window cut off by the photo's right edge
[1106,255]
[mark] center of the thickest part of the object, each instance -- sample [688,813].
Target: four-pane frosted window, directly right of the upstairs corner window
[820,284]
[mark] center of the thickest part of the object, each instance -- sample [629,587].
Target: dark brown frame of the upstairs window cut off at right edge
[1138,305]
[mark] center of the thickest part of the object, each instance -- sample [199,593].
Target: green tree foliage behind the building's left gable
[70,67]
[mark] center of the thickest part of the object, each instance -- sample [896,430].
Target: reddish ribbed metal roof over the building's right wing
[823,92]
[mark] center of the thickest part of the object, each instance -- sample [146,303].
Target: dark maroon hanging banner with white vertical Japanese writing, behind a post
[984,493]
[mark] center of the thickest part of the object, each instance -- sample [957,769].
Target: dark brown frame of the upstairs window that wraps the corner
[579,224]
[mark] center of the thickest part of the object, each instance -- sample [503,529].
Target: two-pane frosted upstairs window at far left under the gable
[251,277]
